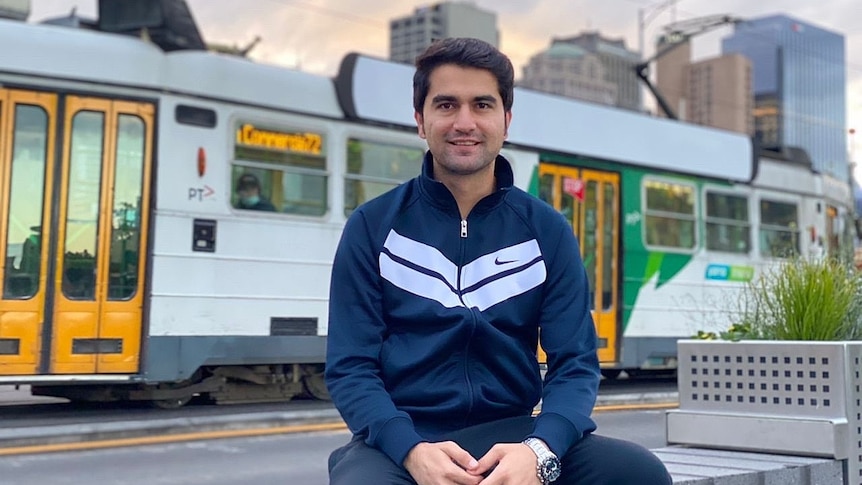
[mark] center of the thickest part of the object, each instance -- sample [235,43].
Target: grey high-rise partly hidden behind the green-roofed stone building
[618,62]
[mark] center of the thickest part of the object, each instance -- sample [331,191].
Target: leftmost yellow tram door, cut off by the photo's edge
[27,125]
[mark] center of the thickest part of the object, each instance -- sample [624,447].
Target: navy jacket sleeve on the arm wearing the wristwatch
[568,336]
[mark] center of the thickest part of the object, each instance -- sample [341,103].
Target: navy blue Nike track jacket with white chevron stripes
[434,321]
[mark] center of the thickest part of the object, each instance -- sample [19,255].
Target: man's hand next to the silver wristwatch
[511,464]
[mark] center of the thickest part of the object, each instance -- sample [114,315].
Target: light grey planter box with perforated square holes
[786,397]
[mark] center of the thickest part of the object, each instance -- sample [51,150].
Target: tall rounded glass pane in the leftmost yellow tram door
[24,223]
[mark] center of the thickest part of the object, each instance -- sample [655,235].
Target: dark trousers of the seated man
[594,460]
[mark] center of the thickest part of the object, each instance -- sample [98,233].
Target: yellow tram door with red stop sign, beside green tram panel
[589,199]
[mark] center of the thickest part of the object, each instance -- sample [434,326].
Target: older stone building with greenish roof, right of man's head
[568,70]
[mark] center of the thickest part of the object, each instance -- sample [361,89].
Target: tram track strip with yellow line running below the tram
[37,425]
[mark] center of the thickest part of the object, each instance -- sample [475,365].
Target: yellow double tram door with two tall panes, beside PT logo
[102,224]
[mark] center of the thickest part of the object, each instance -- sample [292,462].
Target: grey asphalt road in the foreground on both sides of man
[289,458]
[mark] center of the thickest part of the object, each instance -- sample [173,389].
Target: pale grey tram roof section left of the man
[98,58]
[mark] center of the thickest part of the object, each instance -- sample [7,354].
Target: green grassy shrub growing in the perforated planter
[802,299]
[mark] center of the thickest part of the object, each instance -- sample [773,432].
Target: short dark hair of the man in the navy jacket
[463,52]
